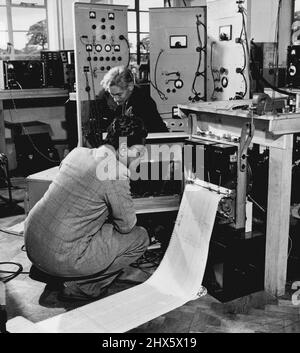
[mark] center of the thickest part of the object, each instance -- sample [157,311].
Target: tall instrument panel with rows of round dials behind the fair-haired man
[101,43]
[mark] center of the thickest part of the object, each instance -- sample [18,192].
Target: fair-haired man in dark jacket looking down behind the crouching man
[120,94]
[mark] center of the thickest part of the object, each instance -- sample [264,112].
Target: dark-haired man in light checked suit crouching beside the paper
[84,229]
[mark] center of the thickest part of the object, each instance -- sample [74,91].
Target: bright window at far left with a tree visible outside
[23,28]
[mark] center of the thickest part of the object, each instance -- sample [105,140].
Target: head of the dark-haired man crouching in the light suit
[128,136]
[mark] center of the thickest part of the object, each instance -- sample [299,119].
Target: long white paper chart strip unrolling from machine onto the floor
[177,280]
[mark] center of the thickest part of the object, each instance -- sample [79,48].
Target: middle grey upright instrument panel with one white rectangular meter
[177,57]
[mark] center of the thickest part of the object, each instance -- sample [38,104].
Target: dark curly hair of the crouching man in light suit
[130,127]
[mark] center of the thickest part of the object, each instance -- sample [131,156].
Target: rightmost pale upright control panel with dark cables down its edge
[228,50]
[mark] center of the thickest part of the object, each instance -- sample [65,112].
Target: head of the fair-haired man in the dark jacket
[119,82]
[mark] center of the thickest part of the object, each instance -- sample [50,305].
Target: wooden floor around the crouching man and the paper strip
[257,312]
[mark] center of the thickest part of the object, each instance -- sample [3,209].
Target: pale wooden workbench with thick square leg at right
[276,132]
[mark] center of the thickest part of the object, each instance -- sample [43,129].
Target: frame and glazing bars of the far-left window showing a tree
[10,31]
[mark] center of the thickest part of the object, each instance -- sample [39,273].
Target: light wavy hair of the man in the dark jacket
[119,76]
